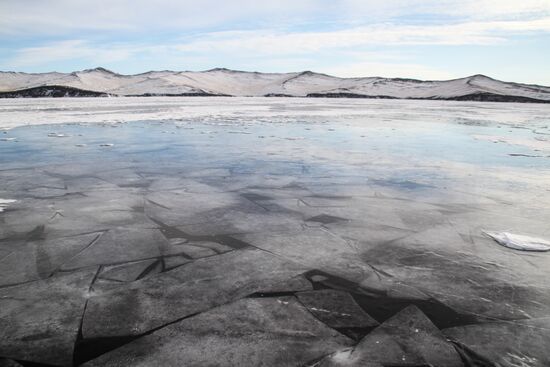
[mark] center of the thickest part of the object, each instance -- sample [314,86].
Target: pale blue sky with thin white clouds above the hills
[505,39]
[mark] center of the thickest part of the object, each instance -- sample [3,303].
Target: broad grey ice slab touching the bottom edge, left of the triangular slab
[249,332]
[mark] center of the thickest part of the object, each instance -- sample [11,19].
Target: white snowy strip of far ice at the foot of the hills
[240,112]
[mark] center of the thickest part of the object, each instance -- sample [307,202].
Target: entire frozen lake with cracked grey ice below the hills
[257,231]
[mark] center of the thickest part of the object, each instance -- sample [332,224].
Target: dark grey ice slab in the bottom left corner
[40,321]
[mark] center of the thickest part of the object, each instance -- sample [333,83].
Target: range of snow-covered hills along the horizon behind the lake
[102,82]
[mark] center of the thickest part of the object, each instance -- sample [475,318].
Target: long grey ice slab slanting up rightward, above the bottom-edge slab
[183,291]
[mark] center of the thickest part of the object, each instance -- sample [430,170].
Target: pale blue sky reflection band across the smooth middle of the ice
[433,145]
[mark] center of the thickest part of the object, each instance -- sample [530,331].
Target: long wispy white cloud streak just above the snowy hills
[272,42]
